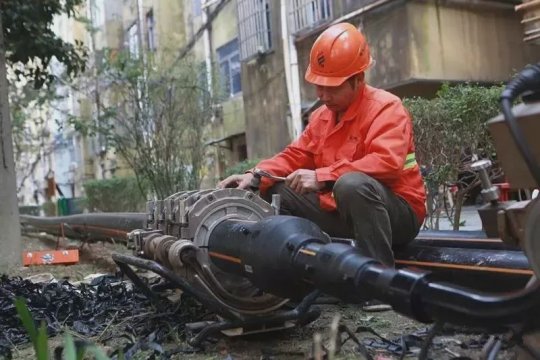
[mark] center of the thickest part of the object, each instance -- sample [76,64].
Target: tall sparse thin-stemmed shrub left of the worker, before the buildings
[154,117]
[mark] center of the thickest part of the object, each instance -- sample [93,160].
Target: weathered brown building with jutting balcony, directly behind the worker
[417,46]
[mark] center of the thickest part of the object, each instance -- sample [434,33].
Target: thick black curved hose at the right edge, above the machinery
[527,80]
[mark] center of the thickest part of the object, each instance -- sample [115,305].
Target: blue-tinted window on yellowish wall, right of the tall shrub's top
[229,65]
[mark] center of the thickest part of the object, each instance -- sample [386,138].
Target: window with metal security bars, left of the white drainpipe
[253,27]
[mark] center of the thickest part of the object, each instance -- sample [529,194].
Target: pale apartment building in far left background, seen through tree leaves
[137,26]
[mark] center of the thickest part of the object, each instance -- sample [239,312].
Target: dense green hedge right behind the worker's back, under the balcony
[450,133]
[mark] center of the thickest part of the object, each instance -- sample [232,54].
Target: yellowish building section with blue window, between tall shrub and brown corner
[219,49]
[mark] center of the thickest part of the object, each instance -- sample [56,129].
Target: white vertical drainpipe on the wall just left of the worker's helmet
[290,60]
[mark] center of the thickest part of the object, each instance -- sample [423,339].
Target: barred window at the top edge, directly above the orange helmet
[307,14]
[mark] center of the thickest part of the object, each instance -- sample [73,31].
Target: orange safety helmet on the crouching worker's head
[340,52]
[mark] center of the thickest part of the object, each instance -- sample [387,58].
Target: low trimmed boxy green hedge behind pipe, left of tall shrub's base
[115,195]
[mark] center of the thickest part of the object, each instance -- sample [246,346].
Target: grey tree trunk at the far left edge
[10,236]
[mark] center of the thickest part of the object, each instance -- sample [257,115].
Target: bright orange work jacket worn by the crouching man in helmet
[374,136]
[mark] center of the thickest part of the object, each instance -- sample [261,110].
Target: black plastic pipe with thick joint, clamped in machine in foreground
[288,255]
